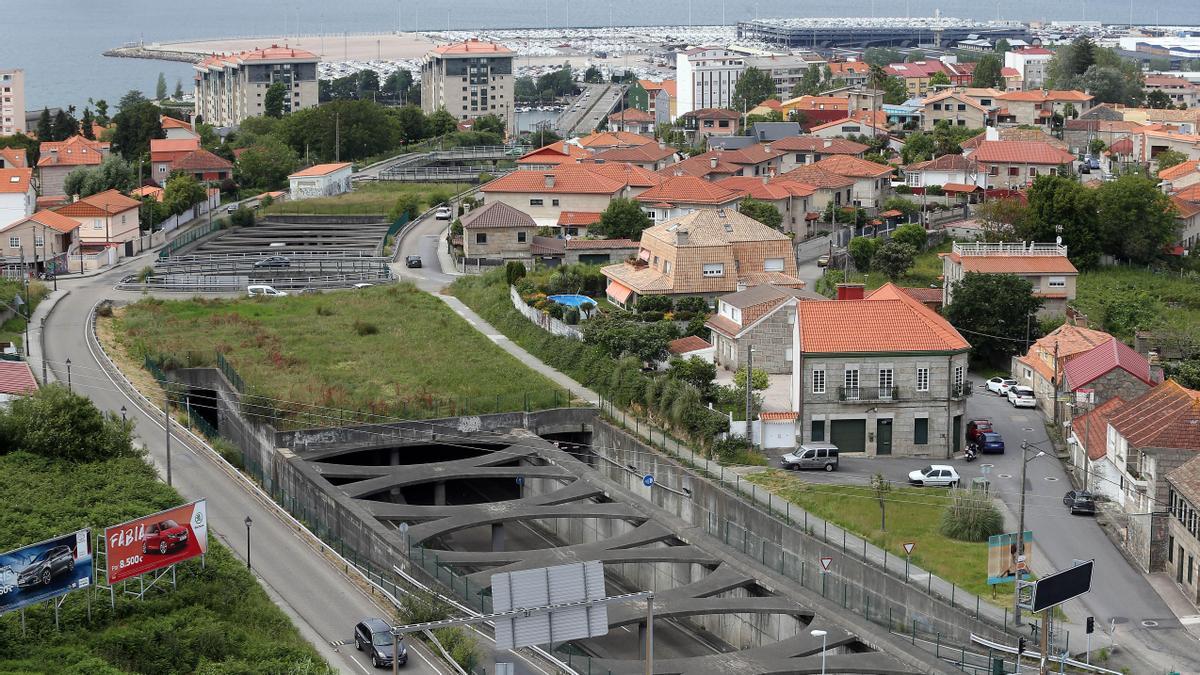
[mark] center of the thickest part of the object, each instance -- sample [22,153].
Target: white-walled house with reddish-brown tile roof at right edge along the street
[1148,439]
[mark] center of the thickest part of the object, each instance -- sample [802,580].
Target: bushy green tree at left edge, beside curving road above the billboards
[58,425]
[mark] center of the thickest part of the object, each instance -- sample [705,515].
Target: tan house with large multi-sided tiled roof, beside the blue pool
[707,253]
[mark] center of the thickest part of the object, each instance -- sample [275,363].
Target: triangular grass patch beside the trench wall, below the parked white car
[914,515]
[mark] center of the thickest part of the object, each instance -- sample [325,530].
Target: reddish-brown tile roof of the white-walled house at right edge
[1165,417]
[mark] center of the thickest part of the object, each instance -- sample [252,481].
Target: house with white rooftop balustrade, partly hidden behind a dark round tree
[1046,266]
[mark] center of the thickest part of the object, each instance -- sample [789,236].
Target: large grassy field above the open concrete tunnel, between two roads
[386,351]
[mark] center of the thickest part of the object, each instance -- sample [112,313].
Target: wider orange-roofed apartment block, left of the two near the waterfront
[232,88]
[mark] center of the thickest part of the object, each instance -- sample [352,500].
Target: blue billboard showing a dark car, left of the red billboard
[44,571]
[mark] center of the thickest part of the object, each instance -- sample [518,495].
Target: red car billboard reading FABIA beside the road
[157,541]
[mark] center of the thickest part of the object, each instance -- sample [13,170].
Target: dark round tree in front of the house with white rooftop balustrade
[993,312]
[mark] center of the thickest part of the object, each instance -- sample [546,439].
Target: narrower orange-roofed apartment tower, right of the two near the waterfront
[470,80]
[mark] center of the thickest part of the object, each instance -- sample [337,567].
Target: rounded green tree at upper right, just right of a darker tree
[1137,219]
